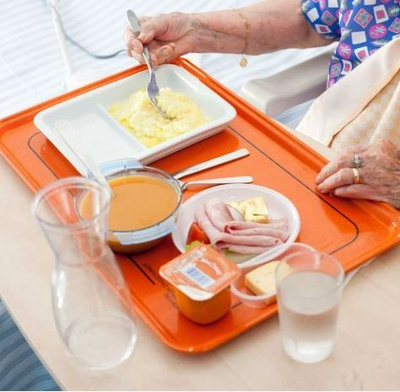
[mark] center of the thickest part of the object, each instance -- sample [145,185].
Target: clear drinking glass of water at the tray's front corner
[309,285]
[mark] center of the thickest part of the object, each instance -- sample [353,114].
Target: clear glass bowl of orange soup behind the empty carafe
[144,207]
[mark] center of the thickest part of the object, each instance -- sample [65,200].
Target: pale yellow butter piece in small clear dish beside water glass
[261,281]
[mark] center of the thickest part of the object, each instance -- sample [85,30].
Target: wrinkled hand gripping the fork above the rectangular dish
[167,36]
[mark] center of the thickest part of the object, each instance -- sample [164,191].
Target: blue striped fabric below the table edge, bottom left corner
[20,368]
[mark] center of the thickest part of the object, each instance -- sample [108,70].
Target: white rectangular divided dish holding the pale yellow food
[98,134]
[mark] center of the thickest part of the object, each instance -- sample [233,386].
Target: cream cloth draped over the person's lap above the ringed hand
[362,107]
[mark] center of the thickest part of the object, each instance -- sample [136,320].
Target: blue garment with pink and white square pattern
[360,26]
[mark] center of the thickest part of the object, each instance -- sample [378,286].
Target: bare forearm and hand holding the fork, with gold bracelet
[274,25]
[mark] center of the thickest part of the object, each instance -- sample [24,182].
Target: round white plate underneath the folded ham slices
[278,206]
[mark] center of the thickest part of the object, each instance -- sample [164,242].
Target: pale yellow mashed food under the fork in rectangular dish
[140,118]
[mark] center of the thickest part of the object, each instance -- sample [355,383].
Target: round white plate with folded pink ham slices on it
[228,232]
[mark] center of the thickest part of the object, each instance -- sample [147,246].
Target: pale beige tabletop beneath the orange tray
[366,356]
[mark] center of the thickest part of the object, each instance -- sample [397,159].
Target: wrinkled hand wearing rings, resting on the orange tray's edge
[379,174]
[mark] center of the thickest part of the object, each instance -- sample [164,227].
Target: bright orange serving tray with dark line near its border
[353,231]
